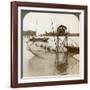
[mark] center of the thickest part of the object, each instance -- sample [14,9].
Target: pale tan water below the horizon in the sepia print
[36,66]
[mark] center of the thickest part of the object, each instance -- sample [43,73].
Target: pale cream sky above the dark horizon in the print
[41,22]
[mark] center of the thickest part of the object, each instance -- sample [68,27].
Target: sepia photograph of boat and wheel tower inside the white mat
[50,43]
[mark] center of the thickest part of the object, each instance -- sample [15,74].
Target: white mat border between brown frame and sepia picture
[52,78]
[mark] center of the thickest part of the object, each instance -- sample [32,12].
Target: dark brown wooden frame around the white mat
[14,43]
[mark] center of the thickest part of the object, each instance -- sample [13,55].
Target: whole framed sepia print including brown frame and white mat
[48,44]
